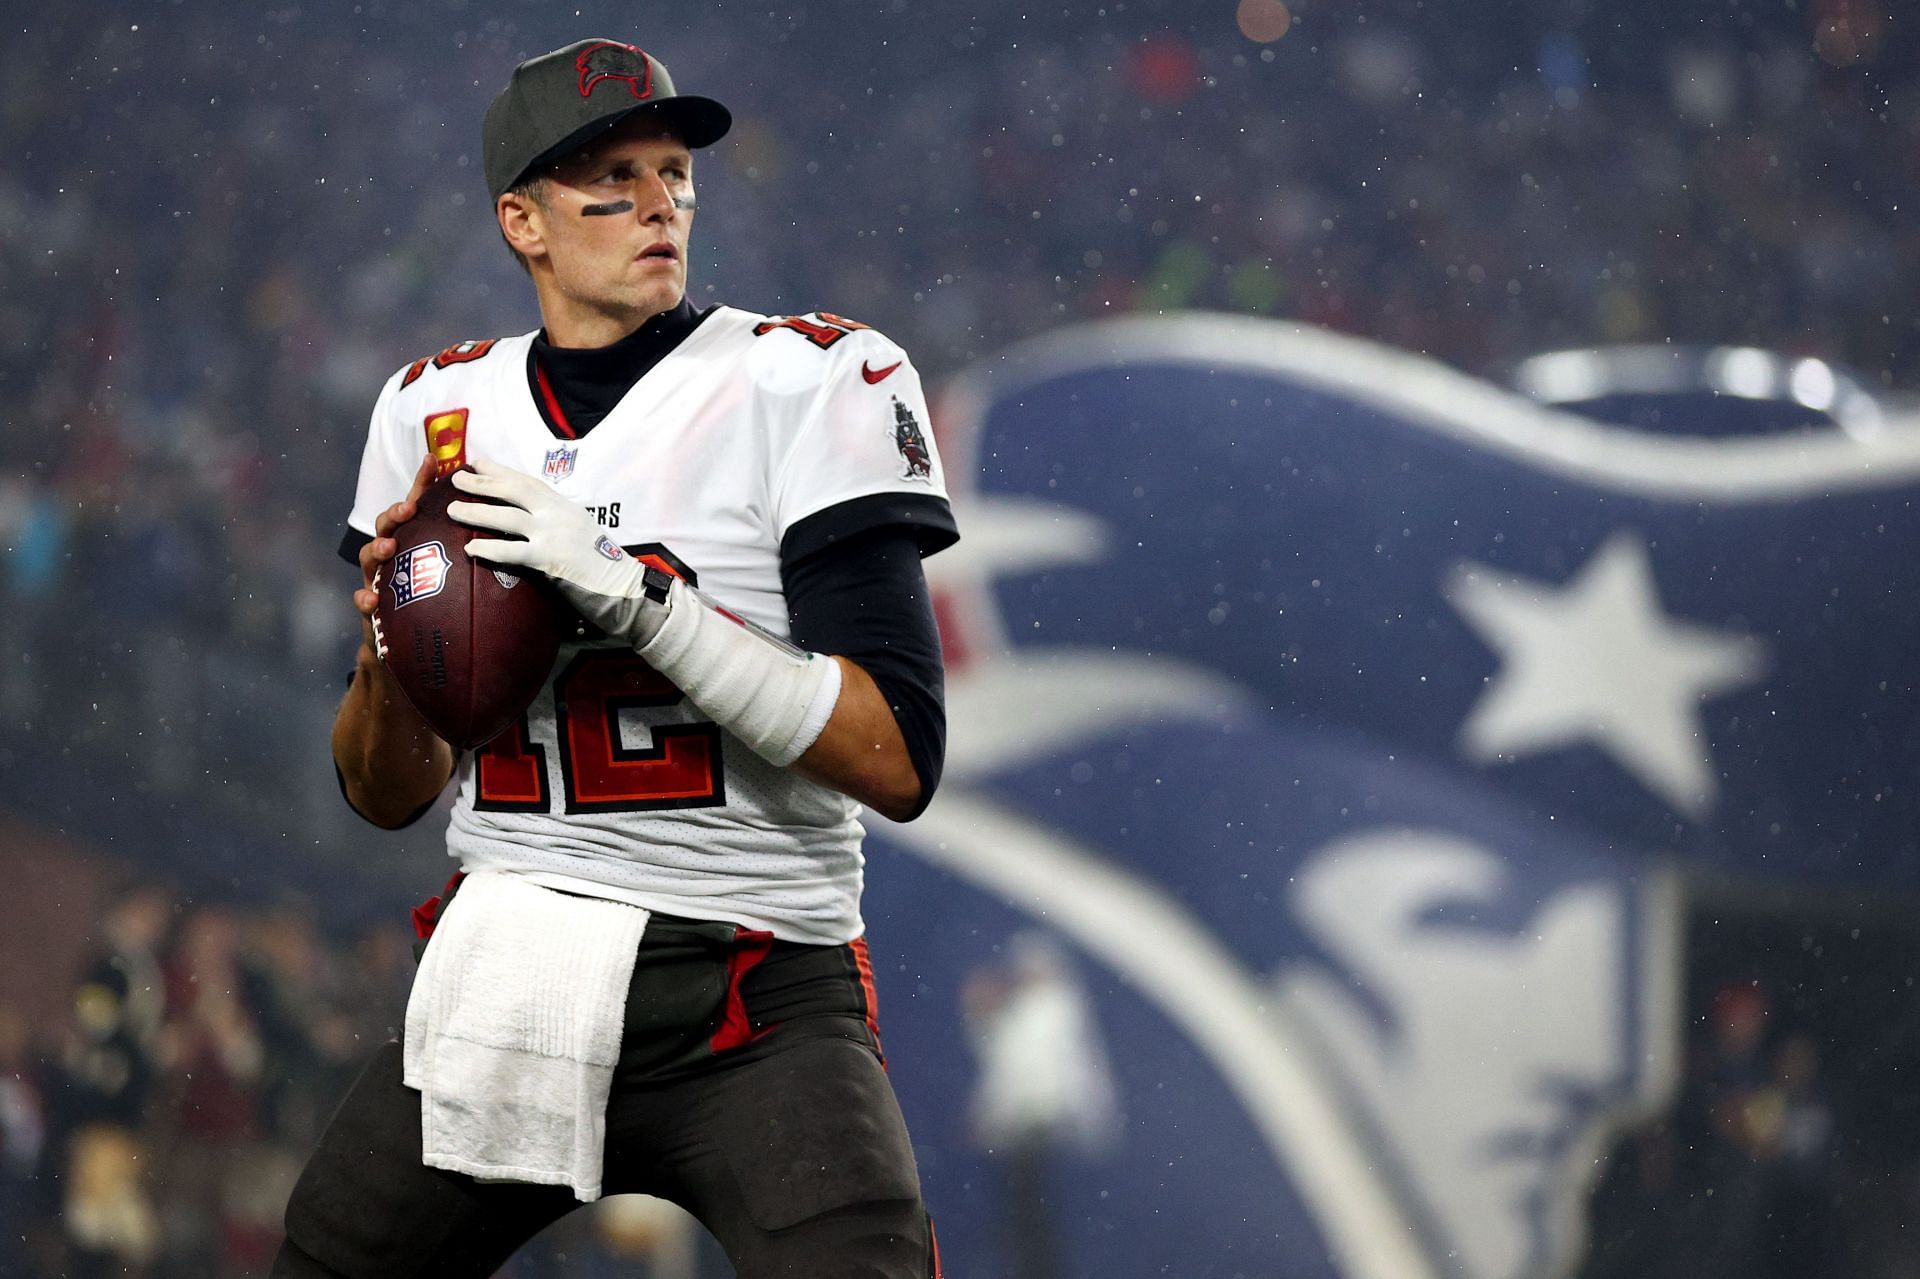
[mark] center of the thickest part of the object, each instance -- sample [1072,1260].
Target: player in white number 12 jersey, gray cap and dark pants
[650,975]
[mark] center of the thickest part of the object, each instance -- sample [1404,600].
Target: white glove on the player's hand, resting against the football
[564,543]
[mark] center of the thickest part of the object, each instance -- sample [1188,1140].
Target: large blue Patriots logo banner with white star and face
[1328,733]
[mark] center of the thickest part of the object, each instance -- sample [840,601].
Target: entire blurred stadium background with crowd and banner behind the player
[1437,811]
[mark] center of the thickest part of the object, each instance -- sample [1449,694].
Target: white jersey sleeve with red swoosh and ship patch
[865,435]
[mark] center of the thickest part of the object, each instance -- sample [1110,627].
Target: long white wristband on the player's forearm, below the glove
[759,688]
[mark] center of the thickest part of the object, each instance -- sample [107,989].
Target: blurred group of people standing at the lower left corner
[158,1124]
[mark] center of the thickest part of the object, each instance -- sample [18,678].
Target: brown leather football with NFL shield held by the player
[468,642]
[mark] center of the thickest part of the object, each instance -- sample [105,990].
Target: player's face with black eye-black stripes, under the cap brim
[615,228]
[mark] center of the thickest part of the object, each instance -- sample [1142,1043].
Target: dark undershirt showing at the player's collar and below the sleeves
[852,573]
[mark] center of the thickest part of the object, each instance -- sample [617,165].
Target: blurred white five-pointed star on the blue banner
[1600,662]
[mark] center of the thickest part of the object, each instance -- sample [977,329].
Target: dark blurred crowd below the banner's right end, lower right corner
[1788,1151]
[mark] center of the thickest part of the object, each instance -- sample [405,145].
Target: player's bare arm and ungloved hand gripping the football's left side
[391,763]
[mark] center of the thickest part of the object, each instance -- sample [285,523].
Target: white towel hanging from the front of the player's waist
[514,1030]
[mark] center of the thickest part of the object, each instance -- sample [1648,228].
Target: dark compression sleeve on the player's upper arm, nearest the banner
[867,600]
